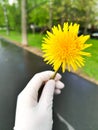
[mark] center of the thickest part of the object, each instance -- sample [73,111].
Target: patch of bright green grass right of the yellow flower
[91,64]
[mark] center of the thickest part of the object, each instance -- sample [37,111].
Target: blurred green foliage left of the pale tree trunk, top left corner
[13,15]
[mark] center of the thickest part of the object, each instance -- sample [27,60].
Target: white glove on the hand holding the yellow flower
[32,114]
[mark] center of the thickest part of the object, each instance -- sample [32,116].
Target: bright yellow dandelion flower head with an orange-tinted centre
[64,48]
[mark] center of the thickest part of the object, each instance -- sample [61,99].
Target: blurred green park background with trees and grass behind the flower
[26,22]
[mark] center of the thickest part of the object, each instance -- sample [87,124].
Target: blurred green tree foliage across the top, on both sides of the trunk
[42,13]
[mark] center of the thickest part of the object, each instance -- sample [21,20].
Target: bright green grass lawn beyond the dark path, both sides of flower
[91,64]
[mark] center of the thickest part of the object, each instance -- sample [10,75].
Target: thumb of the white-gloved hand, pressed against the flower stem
[46,99]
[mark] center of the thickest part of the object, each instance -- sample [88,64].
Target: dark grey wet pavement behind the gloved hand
[75,109]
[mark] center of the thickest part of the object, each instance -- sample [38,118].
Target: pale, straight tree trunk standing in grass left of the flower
[24,23]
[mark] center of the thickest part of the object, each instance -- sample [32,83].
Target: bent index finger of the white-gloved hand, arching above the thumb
[30,92]
